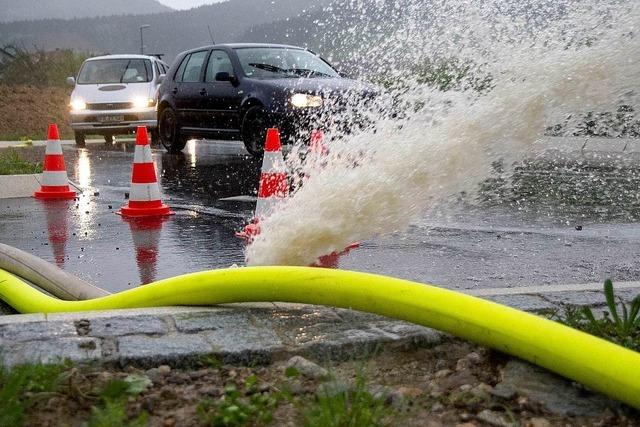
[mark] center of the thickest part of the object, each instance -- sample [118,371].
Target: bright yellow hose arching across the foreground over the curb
[598,364]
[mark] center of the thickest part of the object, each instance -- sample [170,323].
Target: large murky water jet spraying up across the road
[546,60]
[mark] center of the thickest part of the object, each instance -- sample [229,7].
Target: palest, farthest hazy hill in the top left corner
[28,10]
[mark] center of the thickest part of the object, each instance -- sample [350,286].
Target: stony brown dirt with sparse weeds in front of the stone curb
[449,385]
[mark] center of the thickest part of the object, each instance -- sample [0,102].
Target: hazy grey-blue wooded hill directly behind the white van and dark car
[170,32]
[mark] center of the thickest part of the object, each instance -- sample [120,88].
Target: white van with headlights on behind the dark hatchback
[114,94]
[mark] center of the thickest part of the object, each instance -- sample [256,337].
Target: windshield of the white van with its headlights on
[122,70]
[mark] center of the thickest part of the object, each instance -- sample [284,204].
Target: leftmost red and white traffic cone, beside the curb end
[55,183]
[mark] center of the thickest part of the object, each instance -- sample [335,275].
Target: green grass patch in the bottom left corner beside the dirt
[20,388]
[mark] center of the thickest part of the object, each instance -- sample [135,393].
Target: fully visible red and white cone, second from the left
[144,197]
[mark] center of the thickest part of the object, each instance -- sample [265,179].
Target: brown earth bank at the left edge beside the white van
[25,111]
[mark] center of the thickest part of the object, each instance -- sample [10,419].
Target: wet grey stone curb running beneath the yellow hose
[236,333]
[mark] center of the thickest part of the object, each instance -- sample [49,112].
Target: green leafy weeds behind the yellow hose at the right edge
[620,323]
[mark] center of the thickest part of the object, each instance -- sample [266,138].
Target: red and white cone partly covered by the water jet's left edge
[274,186]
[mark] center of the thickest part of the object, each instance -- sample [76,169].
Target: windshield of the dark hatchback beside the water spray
[272,63]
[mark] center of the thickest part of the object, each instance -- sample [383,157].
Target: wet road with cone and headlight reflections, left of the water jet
[87,238]
